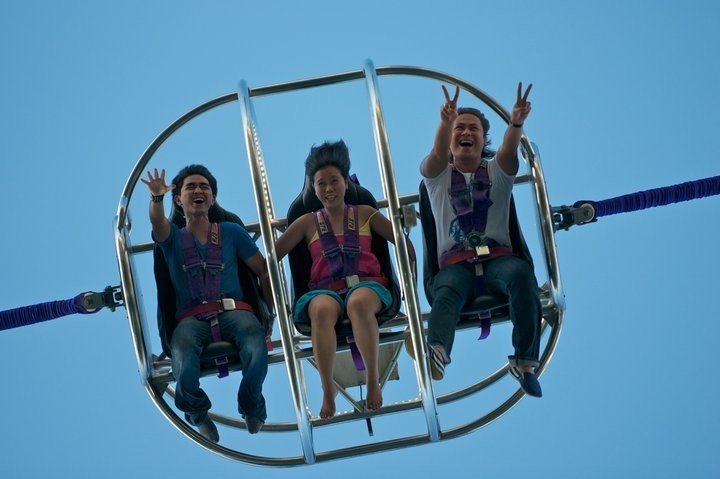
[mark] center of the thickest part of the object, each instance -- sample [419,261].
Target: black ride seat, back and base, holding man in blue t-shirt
[166,296]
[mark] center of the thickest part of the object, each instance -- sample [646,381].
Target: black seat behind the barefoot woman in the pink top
[301,261]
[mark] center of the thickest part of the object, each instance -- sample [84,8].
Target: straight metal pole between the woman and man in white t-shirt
[387,175]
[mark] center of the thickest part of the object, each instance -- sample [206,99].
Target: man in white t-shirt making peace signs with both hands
[470,193]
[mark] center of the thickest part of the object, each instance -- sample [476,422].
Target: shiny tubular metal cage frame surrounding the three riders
[154,371]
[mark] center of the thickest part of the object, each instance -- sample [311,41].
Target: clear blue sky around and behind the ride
[624,99]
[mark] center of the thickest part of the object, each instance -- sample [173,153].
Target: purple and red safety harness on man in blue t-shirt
[206,301]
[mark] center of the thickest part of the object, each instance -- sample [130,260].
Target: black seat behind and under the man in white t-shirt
[430,261]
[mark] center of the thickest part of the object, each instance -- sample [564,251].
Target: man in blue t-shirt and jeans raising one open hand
[203,264]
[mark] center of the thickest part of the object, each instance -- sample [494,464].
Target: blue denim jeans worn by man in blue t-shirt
[191,336]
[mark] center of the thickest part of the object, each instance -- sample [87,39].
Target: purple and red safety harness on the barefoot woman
[343,261]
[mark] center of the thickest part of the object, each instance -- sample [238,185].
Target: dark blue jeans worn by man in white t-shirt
[507,277]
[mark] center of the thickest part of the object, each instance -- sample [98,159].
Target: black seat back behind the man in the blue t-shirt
[166,293]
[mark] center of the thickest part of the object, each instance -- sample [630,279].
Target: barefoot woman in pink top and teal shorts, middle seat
[346,277]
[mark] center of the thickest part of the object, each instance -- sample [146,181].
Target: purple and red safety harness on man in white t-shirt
[471,203]
